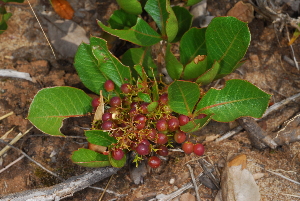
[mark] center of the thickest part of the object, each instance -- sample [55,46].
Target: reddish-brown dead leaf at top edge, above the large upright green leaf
[242,11]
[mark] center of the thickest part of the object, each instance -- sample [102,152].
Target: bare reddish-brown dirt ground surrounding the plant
[24,48]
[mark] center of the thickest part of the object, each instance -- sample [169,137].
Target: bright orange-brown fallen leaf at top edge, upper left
[63,9]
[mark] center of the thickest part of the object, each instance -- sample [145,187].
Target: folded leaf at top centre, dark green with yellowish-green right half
[163,15]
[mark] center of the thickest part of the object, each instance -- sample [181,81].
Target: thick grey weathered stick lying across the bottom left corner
[64,189]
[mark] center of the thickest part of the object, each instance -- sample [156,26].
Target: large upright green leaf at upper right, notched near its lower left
[227,40]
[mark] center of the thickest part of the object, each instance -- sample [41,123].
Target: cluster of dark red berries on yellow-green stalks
[139,126]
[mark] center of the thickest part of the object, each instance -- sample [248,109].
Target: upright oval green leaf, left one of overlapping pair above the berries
[88,69]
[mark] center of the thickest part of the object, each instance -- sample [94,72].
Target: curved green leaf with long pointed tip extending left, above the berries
[141,34]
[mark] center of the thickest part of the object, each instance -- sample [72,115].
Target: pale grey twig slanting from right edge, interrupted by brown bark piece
[272,108]
